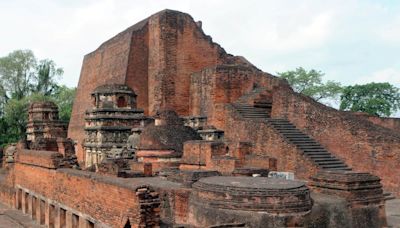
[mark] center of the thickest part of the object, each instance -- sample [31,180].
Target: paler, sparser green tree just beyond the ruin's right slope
[310,84]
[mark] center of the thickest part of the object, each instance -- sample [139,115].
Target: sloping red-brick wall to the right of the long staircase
[361,144]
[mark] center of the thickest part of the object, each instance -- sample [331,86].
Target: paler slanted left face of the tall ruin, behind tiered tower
[108,64]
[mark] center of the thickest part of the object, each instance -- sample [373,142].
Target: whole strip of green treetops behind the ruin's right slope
[378,99]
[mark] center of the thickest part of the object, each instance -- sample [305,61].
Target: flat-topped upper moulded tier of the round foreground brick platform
[253,194]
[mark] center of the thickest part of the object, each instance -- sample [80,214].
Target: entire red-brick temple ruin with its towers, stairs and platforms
[169,130]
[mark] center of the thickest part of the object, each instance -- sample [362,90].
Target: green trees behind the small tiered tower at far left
[23,79]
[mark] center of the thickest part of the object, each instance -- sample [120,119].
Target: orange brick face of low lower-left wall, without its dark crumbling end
[105,199]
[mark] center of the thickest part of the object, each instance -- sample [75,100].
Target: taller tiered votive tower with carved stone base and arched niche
[109,122]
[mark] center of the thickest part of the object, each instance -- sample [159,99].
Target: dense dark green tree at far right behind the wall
[378,99]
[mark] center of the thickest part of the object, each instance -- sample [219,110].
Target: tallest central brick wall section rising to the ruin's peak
[178,48]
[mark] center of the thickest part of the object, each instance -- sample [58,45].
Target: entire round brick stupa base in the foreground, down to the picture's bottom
[256,201]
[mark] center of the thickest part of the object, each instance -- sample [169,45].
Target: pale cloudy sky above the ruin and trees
[351,41]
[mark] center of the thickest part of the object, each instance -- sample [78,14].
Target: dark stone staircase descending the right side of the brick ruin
[307,145]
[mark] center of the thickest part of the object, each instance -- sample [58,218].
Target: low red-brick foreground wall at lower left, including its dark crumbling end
[100,199]
